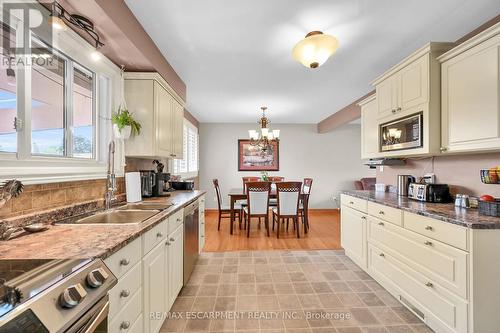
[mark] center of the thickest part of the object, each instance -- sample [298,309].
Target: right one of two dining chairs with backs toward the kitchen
[288,195]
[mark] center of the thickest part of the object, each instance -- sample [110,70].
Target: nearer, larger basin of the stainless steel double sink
[129,216]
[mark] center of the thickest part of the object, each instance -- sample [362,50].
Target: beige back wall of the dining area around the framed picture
[331,159]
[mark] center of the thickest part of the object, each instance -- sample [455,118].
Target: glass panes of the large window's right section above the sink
[62,108]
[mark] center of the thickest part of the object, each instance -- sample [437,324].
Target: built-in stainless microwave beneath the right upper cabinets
[403,133]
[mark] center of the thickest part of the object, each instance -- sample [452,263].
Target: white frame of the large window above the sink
[35,169]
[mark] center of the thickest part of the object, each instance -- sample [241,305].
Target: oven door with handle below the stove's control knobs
[94,320]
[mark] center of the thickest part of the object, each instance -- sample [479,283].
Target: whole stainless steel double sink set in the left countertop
[132,213]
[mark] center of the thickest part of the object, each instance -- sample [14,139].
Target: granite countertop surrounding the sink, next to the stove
[65,241]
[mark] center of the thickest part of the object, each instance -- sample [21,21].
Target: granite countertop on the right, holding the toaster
[469,218]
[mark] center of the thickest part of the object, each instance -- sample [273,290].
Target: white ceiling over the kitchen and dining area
[235,55]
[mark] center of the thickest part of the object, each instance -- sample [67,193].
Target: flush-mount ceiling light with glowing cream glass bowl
[315,49]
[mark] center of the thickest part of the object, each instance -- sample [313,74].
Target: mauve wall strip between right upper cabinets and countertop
[461,172]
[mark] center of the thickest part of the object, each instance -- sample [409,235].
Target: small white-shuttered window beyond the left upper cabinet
[188,166]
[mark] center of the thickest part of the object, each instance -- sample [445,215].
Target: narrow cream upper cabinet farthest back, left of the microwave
[369,128]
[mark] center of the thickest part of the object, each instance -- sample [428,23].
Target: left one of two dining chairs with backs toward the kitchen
[258,204]
